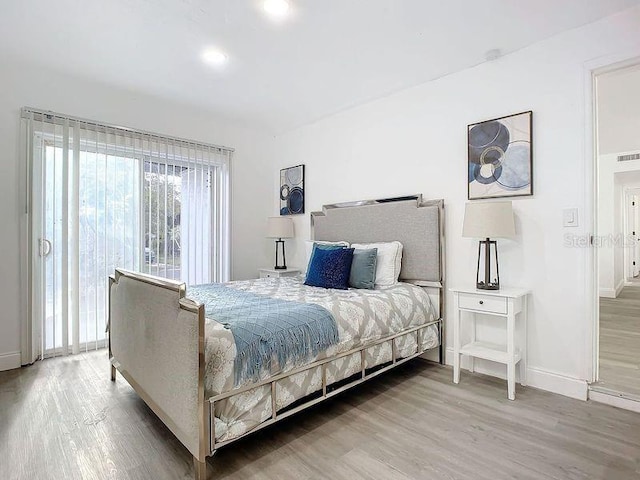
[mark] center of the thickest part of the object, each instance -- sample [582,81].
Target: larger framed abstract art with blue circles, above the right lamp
[500,157]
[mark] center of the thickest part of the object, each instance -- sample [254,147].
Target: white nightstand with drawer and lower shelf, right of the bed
[509,305]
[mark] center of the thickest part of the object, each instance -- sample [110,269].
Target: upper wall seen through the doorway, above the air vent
[619,111]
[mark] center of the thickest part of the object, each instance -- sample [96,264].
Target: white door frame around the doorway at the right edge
[591,70]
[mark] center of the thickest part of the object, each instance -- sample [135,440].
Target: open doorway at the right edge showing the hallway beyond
[618,227]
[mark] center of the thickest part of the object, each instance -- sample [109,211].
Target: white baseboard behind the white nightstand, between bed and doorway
[542,379]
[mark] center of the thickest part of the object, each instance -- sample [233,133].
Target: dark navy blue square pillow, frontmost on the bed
[329,268]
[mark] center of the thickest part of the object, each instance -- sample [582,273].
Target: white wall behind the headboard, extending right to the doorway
[414,141]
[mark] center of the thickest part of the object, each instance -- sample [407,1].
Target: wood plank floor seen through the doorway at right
[620,342]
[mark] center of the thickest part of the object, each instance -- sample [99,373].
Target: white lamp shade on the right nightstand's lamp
[489,220]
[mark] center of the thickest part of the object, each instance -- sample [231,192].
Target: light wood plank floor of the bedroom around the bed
[64,419]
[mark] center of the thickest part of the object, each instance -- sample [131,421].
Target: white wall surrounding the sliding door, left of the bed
[25,85]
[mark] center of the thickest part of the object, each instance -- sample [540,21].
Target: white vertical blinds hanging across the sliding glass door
[103,197]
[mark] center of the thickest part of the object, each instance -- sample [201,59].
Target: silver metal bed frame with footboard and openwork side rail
[192,420]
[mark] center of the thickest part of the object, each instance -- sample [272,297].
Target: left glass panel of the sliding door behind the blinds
[89,227]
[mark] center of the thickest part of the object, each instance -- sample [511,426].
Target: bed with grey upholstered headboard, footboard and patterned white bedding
[182,364]
